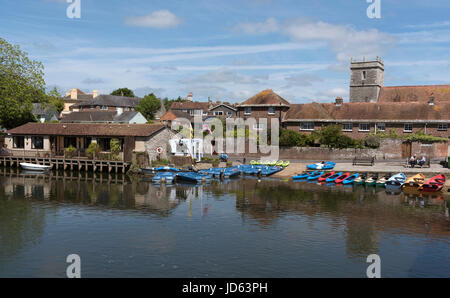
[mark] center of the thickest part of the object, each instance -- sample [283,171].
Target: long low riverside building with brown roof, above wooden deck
[50,139]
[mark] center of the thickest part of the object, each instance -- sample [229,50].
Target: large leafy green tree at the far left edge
[21,84]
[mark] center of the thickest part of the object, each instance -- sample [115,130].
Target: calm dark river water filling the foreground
[123,227]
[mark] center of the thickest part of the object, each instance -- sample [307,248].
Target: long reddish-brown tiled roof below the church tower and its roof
[370,111]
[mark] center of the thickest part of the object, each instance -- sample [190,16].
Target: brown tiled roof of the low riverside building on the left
[87,129]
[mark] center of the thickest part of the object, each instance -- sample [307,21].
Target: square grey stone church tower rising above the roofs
[366,80]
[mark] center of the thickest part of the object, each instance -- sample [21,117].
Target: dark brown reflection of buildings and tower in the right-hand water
[362,213]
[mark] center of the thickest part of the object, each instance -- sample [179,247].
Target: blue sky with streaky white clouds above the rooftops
[230,50]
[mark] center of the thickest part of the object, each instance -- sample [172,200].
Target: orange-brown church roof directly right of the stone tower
[414,93]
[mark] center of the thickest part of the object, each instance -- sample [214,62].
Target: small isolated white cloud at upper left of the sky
[160,19]
